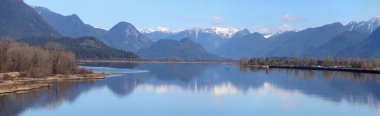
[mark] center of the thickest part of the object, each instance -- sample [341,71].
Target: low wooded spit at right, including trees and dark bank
[308,63]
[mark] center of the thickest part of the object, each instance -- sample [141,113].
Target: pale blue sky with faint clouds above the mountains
[255,15]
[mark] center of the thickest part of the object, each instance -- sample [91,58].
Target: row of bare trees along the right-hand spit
[358,63]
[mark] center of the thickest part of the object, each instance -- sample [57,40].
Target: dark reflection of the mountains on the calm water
[218,80]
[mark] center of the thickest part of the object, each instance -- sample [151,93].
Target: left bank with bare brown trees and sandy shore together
[23,67]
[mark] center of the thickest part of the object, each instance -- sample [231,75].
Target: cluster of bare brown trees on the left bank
[35,61]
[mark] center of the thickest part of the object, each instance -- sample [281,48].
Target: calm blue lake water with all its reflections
[203,90]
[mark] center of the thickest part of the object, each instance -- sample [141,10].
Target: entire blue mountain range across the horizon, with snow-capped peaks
[355,39]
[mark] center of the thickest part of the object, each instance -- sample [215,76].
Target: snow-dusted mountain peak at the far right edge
[364,26]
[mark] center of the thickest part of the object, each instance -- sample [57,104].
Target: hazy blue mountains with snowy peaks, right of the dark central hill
[333,39]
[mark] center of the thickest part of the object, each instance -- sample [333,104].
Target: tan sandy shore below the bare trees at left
[13,82]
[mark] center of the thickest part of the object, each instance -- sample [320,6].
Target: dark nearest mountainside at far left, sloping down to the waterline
[21,23]
